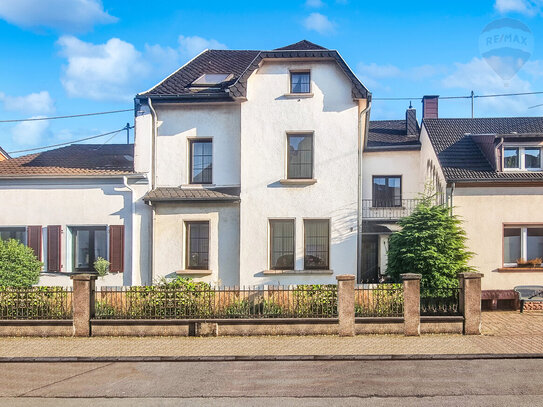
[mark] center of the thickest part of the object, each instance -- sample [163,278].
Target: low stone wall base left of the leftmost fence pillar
[36,328]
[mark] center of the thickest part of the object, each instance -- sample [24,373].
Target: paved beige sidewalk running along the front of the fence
[503,333]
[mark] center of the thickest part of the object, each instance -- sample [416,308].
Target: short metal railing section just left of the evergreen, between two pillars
[378,300]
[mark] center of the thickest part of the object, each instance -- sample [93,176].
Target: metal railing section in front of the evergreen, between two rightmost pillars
[440,302]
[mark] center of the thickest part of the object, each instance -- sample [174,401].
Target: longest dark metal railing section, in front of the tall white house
[154,302]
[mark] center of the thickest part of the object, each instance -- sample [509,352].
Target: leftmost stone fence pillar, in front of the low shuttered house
[83,303]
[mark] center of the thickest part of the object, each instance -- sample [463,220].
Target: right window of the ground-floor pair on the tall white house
[317,244]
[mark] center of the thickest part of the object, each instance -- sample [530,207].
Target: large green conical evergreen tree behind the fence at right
[432,243]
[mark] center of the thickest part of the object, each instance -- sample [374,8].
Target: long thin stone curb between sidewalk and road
[270,358]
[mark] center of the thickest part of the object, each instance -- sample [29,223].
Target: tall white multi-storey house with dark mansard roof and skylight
[253,162]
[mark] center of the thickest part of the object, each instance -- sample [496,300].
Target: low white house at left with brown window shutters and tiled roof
[74,204]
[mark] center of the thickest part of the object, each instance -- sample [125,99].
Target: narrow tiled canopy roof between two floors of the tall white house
[179,194]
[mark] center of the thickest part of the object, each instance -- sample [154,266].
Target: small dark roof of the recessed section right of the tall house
[390,134]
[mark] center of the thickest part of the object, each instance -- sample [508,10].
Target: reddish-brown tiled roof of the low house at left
[73,160]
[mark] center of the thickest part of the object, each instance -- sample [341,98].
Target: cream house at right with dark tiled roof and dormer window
[494,175]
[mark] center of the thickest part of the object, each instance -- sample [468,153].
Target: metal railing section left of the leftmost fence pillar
[36,303]
